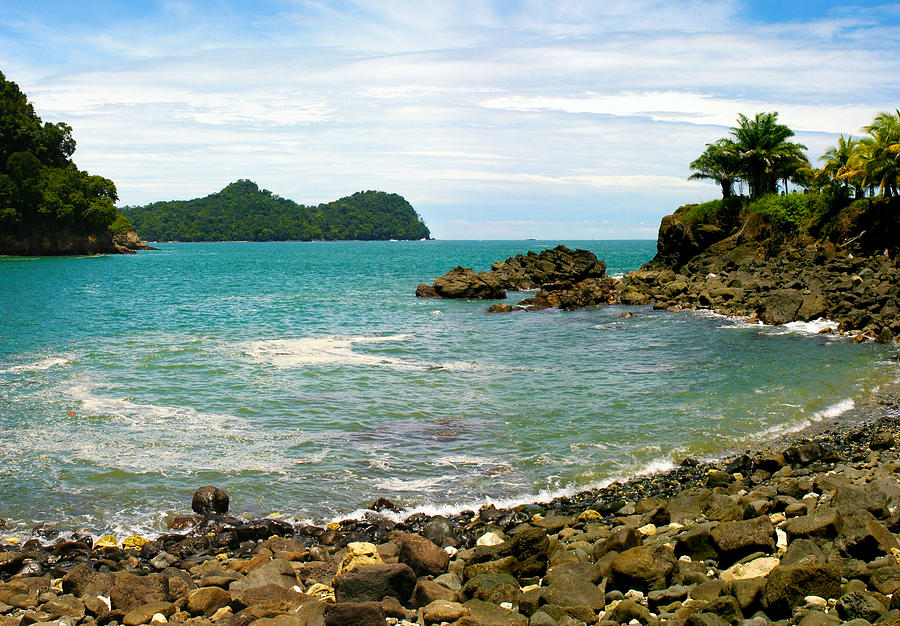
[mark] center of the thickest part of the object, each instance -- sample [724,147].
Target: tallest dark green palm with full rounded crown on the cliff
[764,152]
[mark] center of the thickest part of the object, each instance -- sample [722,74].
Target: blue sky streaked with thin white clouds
[496,119]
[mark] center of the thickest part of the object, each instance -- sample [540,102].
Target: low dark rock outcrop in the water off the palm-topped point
[558,266]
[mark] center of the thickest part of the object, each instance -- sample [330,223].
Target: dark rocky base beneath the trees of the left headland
[64,243]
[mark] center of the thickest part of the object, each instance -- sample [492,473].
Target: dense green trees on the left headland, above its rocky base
[41,189]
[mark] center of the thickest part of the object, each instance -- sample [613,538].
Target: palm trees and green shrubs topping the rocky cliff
[854,192]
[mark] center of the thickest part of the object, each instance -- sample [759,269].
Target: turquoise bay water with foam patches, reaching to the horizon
[306,379]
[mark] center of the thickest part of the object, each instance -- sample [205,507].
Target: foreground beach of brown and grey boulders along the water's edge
[802,530]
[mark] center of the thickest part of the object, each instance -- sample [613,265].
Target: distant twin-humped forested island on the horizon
[244,212]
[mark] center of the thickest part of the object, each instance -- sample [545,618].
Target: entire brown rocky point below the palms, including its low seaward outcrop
[749,273]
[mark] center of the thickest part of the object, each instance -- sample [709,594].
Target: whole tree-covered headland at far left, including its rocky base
[47,205]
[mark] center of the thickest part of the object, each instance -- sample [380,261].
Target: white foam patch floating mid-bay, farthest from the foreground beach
[331,350]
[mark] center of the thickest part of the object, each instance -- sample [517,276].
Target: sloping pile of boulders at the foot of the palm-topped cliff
[860,294]
